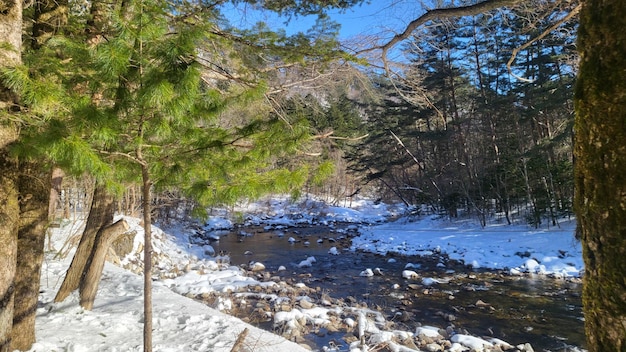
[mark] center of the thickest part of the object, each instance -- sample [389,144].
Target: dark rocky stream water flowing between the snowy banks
[545,312]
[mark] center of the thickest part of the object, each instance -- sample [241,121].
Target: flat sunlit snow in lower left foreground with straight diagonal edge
[116,322]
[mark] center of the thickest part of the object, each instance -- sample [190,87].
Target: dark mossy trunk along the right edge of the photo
[600,164]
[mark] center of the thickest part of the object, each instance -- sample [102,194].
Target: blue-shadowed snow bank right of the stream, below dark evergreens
[519,248]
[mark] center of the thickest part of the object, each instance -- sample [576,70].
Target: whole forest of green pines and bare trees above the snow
[161,104]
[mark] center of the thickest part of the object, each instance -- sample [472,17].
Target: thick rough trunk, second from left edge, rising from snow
[34,189]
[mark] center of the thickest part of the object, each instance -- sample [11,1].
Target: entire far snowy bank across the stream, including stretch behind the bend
[520,248]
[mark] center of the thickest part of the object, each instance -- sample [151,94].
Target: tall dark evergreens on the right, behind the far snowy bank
[470,136]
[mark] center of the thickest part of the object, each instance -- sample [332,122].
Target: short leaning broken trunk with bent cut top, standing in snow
[91,279]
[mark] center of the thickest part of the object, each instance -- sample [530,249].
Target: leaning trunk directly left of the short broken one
[100,215]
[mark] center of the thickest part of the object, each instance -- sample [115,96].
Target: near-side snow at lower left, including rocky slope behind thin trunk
[116,322]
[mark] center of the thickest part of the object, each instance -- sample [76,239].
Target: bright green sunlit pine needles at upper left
[147,95]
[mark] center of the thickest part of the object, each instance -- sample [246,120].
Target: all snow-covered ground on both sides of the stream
[182,324]
